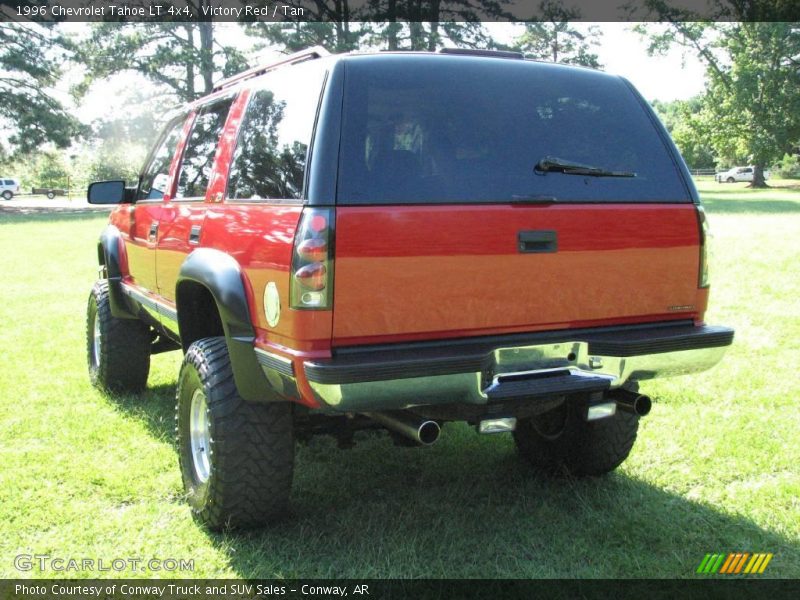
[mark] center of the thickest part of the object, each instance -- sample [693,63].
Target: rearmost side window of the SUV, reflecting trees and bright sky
[270,156]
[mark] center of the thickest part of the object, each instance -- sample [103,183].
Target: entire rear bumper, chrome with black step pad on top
[483,370]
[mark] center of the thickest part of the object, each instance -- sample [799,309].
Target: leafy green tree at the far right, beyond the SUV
[751,109]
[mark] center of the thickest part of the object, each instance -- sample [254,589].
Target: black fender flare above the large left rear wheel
[222,276]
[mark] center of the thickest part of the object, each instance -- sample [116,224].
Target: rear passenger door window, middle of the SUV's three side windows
[198,158]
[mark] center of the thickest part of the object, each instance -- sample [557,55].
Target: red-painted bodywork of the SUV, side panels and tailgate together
[409,273]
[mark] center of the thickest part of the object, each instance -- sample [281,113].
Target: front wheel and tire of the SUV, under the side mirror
[117,350]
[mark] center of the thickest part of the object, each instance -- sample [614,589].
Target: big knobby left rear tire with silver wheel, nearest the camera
[236,457]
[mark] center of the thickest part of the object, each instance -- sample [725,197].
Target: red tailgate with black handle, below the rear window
[440,271]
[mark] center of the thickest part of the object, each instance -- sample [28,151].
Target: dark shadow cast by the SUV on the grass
[469,507]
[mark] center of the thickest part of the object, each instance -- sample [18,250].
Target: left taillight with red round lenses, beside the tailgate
[312,261]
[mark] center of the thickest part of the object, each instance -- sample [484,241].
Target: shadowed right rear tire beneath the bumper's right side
[562,440]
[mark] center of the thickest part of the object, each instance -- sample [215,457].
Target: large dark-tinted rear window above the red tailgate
[470,130]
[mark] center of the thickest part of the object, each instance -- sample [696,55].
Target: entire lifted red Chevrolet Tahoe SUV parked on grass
[396,241]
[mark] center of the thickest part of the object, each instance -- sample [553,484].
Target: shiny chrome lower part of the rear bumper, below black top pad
[470,388]
